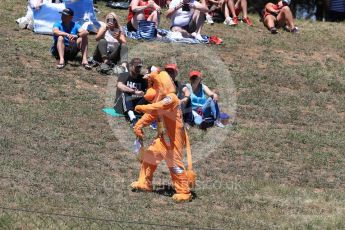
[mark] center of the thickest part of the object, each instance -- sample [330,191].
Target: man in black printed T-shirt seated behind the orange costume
[131,88]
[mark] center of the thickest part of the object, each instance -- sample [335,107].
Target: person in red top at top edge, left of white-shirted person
[142,10]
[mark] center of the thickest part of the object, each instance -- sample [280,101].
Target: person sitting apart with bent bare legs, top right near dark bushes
[279,15]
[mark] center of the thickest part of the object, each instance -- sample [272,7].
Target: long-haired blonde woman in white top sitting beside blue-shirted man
[111,47]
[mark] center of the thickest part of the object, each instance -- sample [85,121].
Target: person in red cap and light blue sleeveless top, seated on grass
[203,100]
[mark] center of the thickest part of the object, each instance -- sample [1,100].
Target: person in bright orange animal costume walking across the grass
[168,145]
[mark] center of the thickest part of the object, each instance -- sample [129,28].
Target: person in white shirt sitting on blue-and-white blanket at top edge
[187,17]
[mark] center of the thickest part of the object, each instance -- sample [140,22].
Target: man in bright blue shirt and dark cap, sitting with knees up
[69,39]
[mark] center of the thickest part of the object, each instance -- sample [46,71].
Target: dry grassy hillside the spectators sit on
[281,166]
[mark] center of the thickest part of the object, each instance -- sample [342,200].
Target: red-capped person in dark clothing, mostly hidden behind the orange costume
[182,94]
